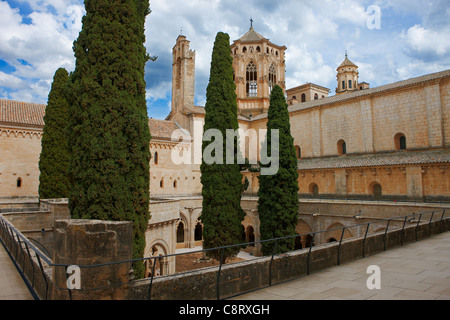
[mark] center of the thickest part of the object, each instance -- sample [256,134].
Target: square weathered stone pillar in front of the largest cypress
[84,243]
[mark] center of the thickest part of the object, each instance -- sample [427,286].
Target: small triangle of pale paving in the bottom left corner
[12,286]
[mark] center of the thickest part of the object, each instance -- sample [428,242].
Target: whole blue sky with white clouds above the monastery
[390,40]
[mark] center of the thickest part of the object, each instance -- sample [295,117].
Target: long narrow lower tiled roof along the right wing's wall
[376,160]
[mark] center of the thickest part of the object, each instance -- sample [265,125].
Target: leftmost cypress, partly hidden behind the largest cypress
[54,158]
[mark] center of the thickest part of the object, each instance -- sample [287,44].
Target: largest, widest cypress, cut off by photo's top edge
[109,123]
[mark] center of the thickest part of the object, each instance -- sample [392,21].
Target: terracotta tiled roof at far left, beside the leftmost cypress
[22,113]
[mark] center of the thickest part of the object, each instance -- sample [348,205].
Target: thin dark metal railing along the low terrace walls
[27,255]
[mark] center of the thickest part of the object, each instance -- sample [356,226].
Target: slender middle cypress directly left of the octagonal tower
[222,214]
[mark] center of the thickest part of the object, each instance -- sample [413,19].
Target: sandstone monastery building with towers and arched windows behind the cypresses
[386,143]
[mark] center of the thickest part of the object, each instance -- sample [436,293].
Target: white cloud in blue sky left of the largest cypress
[38,48]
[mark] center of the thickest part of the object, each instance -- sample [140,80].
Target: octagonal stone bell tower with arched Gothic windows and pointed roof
[258,65]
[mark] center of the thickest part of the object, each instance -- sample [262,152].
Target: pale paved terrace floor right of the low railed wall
[416,271]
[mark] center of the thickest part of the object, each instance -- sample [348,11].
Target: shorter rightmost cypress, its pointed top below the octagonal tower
[278,194]
